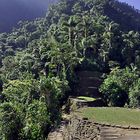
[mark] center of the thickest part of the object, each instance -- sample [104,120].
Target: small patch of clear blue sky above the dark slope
[135,3]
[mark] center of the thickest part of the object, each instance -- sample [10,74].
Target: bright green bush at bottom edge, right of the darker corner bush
[37,121]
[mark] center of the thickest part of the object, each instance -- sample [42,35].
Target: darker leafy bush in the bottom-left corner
[10,122]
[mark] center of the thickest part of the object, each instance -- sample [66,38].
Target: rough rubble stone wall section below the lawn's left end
[81,129]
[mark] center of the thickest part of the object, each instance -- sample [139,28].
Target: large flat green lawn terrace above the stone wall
[117,116]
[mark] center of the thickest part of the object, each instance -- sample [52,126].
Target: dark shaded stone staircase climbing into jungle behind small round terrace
[89,82]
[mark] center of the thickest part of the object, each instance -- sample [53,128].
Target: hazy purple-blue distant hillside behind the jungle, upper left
[13,11]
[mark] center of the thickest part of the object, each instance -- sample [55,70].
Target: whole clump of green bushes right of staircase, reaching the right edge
[121,87]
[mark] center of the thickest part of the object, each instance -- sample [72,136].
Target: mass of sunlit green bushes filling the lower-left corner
[24,112]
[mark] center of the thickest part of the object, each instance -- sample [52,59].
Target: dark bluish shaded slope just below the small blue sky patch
[122,13]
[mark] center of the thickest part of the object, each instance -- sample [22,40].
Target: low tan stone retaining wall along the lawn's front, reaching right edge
[83,129]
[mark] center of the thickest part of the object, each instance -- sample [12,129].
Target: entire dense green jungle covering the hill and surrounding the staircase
[39,59]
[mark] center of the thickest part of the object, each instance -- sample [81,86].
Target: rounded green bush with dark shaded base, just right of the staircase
[116,86]
